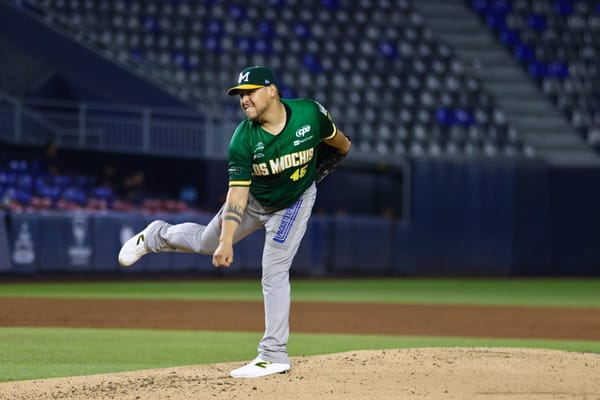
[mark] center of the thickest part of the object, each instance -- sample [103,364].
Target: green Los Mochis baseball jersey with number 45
[279,168]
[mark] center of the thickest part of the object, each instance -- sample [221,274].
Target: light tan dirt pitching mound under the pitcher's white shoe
[432,373]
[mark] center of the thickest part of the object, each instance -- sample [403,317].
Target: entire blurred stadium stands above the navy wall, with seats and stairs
[122,104]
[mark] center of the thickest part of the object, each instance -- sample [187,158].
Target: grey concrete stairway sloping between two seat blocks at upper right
[532,113]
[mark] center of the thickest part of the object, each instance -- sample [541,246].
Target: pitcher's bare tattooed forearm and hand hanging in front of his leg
[235,206]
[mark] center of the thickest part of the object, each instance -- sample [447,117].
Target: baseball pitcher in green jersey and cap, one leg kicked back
[276,155]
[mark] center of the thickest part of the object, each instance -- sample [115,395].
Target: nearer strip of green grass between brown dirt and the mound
[54,352]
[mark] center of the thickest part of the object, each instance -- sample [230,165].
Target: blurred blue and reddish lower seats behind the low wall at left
[39,181]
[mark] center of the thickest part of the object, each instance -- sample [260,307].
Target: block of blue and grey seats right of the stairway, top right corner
[556,43]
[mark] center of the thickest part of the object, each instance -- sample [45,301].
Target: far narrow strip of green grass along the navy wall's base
[530,292]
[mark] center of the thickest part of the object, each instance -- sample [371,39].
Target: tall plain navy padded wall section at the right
[504,218]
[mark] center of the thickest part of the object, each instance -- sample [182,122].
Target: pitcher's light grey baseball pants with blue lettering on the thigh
[284,231]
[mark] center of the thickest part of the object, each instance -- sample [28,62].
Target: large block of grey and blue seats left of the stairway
[365,60]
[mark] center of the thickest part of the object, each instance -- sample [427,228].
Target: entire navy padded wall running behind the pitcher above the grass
[492,219]
